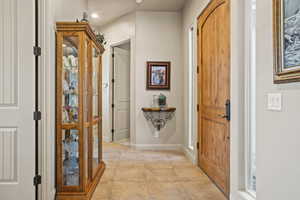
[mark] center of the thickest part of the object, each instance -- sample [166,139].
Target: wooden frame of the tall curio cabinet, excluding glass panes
[85,122]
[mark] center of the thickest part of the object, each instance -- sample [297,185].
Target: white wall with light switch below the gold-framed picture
[277,132]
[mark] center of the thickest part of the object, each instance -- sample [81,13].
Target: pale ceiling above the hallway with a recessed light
[109,10]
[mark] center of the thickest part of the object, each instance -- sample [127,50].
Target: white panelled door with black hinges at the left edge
[17,158]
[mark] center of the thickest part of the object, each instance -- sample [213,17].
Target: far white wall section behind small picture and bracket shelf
[159,38]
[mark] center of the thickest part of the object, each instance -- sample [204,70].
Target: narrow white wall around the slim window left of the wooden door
[191,11]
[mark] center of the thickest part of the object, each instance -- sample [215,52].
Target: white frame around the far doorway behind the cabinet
[132,87]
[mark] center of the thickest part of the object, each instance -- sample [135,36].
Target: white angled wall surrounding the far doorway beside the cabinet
[116,32]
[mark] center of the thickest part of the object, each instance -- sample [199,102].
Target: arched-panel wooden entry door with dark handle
[214,95]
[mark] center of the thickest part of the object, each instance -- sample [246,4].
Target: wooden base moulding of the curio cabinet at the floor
[82,195]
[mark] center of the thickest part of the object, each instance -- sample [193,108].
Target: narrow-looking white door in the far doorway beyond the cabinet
[121,93]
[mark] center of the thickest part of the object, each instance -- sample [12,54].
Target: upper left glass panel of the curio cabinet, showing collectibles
[70,79]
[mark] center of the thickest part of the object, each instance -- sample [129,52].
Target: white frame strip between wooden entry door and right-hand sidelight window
[240,86]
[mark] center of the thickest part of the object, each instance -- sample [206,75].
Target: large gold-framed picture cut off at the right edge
[286,29]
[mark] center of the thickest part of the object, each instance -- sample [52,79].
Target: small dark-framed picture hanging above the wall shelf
[158,75]
